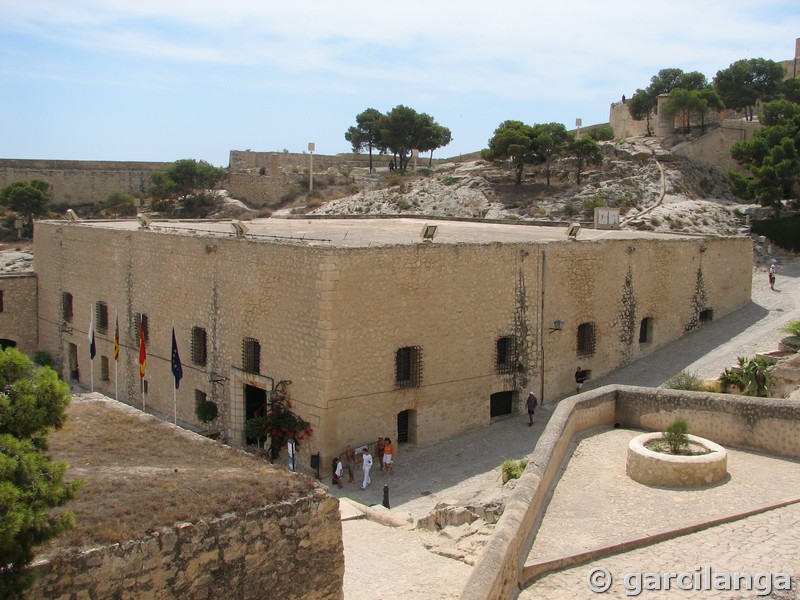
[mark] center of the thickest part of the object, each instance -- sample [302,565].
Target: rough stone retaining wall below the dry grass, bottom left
[288,550]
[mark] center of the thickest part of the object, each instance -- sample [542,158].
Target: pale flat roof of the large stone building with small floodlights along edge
[365,232]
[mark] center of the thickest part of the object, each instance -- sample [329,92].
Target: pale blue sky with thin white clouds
[140,80]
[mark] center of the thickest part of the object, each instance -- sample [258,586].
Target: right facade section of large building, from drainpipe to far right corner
[615,285]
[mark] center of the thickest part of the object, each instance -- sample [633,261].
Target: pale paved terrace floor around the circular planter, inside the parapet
[620,509]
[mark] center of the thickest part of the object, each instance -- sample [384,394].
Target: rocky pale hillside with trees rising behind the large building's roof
[654,189]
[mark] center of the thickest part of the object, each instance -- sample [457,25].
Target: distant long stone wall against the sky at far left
[79,182]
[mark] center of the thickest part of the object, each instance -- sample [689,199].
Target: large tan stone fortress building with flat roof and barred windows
[376,330]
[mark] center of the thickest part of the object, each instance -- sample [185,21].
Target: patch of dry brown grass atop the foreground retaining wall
[140,474]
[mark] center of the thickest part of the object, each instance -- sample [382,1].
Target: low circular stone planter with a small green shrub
[657,468]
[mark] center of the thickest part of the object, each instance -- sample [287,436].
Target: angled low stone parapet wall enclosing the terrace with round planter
[759,424]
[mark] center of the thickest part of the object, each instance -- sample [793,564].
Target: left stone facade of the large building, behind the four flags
[232,288]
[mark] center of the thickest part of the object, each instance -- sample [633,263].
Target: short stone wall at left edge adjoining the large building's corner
[18,318]
